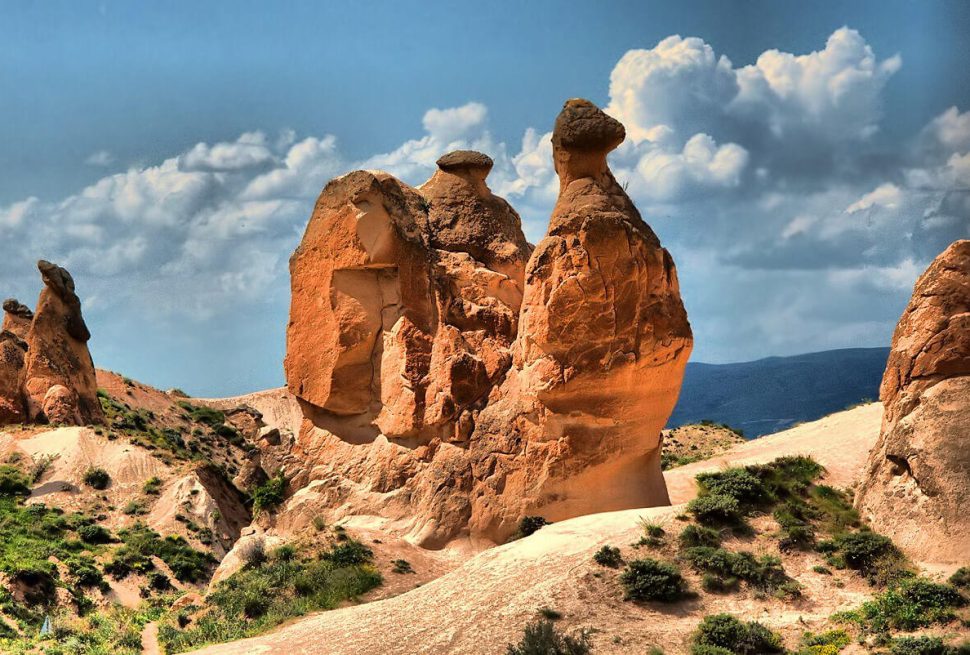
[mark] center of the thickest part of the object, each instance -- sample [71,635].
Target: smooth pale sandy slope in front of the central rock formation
[484,604]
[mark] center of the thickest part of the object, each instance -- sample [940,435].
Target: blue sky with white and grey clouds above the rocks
[168,154]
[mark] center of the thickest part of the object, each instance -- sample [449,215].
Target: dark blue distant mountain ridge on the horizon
[774,393]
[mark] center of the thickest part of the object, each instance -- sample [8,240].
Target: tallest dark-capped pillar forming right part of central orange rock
[603,334]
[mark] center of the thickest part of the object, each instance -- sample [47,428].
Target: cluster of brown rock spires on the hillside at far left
[46,372]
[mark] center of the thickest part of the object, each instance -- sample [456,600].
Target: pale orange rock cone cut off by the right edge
[917,483]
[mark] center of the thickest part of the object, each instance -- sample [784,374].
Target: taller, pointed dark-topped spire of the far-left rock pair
[58,354]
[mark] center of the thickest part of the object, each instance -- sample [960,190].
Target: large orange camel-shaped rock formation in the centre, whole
[452,380]
